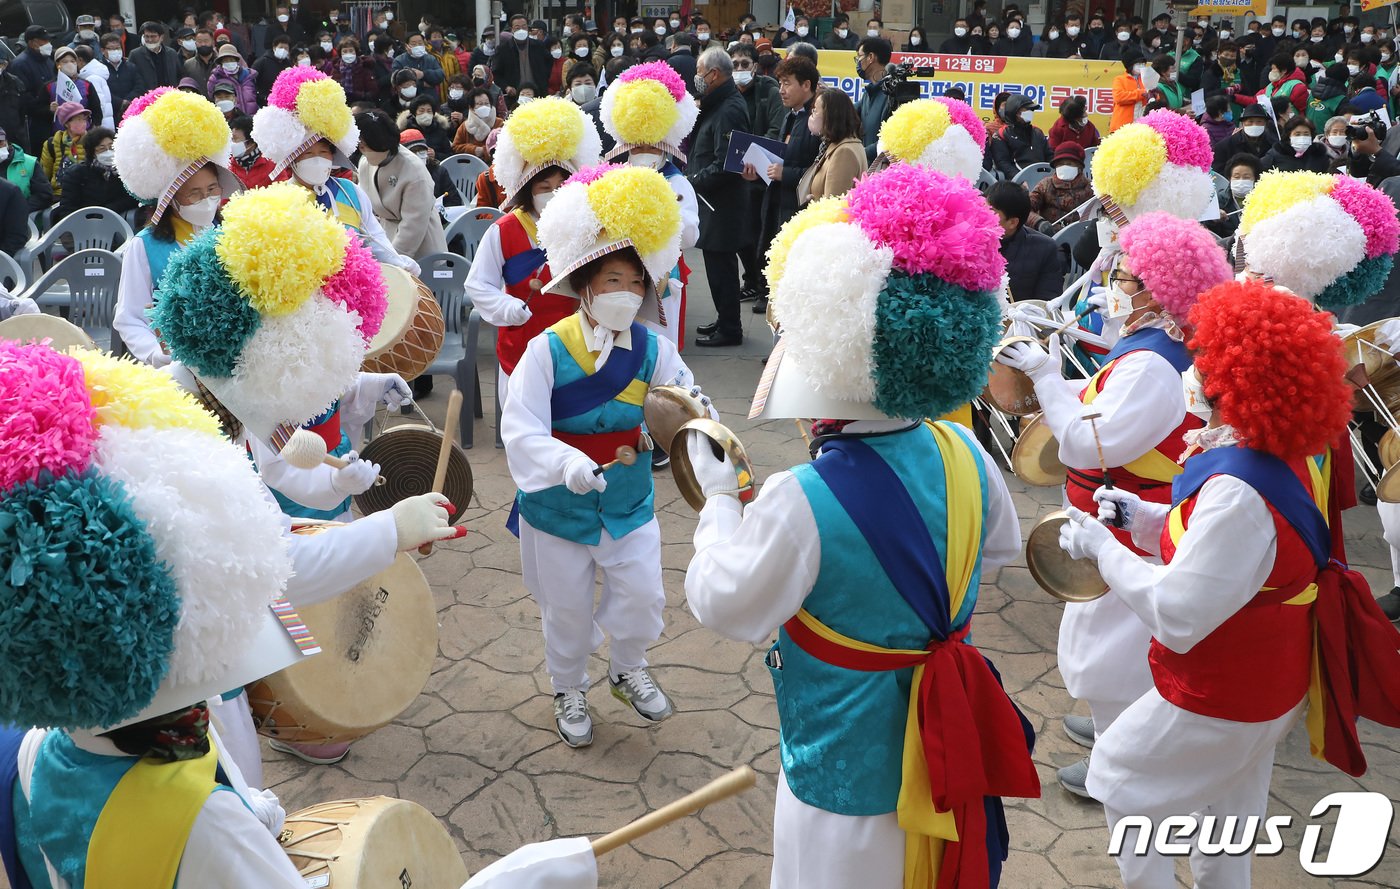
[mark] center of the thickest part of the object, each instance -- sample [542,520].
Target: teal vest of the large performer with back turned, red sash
[852,765]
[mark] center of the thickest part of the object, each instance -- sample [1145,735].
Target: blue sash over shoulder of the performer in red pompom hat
[1275,482]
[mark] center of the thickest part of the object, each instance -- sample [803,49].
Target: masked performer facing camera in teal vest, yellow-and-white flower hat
[576,398]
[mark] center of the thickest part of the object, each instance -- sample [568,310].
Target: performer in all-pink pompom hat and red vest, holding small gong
[1167,262]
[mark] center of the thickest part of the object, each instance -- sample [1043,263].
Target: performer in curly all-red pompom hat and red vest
[1252,617]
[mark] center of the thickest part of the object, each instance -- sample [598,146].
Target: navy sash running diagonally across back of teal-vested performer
[876,500]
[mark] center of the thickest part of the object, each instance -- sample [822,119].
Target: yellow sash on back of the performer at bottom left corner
[142,831]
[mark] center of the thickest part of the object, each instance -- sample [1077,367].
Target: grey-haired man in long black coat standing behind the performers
[726,222]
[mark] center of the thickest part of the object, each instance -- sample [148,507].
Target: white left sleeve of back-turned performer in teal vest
[757,565]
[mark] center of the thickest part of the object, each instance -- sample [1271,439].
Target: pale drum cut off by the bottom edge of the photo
[373,843]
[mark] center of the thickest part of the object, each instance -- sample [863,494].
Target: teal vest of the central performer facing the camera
[626,505]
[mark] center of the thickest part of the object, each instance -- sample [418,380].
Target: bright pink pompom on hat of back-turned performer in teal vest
[934,225]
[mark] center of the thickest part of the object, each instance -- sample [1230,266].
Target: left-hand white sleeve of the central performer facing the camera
[537,460]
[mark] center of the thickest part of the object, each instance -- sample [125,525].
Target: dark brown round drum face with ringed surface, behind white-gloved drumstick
[408,461]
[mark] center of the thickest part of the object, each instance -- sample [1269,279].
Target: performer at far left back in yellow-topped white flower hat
[173,155]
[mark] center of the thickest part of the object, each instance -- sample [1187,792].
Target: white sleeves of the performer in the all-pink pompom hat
[1142,404]
